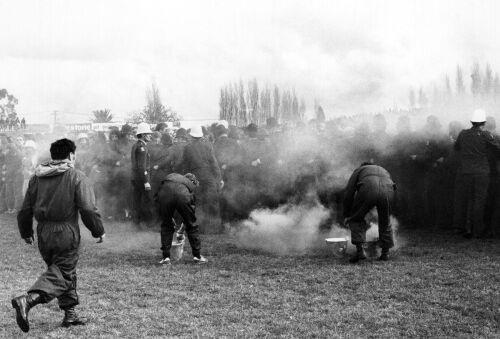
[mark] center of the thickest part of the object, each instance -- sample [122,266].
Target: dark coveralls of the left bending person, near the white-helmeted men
[176,193]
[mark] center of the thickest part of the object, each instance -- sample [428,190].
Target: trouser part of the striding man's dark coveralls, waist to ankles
[58,244]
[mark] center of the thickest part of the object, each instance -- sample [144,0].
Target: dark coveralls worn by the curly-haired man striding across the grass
[54,200]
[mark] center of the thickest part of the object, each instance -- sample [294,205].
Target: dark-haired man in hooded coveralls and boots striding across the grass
[55,195]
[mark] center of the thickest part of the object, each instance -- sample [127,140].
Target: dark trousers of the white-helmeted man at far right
[471,192]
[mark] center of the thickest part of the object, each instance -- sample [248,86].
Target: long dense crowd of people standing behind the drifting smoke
[265,167]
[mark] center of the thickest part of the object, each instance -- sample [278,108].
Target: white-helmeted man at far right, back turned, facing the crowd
[474,146]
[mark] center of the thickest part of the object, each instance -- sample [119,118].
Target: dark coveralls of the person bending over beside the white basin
[369,186]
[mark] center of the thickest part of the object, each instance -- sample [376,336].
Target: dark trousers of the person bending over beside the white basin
[381,198]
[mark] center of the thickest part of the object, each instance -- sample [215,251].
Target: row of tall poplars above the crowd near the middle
[241,105]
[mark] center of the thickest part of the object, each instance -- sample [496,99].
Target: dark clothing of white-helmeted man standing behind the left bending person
[199,159]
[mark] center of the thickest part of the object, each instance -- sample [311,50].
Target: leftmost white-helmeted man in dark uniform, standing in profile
[141,186]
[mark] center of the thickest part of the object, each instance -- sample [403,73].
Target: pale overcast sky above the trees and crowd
[352,56]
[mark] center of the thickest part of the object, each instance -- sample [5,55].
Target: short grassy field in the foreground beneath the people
[434,286]
